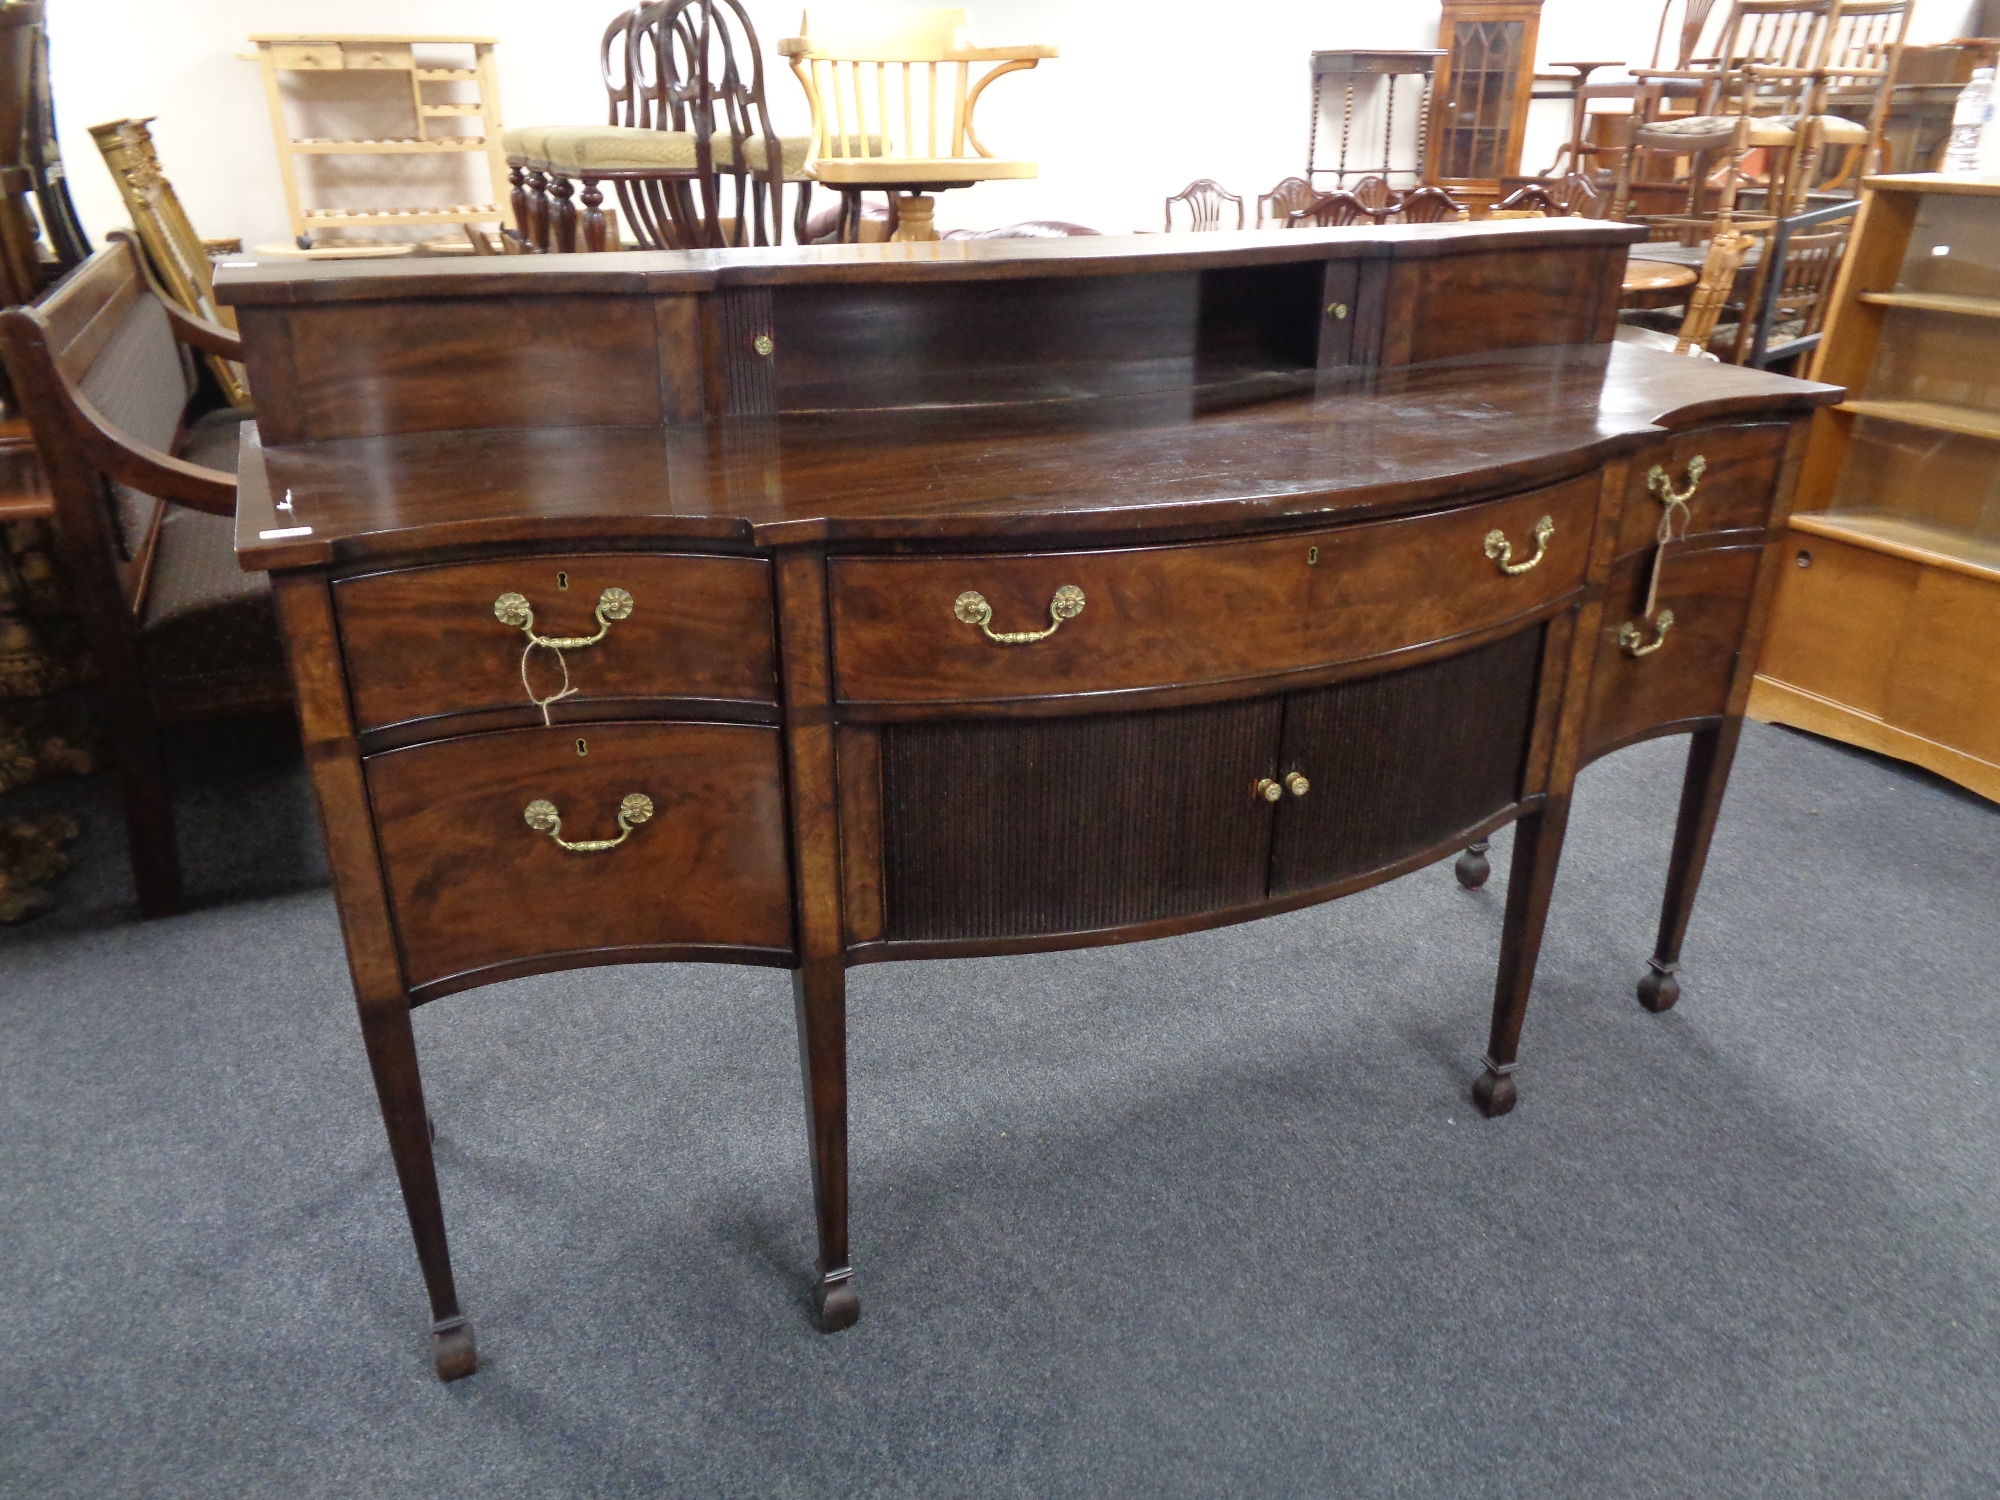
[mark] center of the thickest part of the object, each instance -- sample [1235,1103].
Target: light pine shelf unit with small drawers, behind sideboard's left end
[445,105]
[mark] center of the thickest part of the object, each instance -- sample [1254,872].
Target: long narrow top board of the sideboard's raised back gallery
[657,273]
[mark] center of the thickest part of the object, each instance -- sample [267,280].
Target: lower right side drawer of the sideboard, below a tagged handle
[1683,673]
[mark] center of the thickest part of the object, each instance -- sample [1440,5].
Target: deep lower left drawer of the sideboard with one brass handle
[473,887]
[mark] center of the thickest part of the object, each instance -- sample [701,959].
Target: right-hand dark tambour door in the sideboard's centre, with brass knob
[1401,763]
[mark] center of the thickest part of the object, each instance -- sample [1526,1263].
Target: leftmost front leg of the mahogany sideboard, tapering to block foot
[401,1089]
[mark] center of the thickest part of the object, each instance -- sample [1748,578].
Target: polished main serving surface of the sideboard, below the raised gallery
[1151,467]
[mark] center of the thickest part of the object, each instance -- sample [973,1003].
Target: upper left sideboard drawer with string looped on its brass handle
[425,643]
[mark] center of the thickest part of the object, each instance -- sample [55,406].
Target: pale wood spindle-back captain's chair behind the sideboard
[893,109]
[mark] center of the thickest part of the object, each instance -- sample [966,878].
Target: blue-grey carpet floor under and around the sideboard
[1207,1217]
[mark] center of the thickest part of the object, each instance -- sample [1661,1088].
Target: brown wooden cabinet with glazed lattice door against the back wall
[1481,101]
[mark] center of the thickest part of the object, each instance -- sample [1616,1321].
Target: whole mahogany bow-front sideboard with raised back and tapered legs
[819,607]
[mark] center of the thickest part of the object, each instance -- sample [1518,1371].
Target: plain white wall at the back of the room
[1143,99]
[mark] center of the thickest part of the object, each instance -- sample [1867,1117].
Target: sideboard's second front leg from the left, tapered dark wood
[821,999]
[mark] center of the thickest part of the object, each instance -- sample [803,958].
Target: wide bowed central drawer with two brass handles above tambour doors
[1009,627]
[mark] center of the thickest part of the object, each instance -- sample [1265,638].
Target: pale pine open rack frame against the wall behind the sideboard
[321,53]
